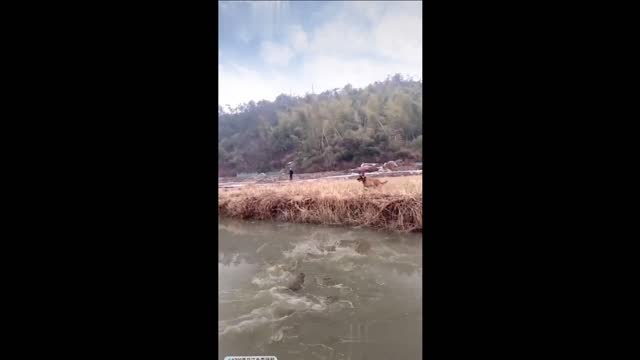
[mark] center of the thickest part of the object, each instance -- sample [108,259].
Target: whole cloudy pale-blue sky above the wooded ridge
[267,48]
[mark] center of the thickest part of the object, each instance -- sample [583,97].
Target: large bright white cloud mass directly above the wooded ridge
[363,43]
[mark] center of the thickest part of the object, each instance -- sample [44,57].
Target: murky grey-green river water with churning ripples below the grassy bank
[361,297]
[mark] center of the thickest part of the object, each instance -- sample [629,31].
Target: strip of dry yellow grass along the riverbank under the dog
[396,205]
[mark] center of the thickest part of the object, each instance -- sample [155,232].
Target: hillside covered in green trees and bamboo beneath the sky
[334,130]
